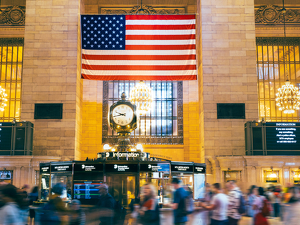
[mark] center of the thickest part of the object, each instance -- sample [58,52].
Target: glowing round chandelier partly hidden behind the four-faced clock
[141,96]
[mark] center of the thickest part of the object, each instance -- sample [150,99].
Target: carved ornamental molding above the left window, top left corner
[12,16]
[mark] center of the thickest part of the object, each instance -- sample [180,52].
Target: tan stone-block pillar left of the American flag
[50,72]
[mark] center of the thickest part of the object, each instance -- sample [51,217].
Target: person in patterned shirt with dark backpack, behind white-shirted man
[237,205]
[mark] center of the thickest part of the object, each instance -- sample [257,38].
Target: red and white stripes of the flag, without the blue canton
[158,47]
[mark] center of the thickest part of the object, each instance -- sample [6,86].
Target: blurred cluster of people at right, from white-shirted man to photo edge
[227,205]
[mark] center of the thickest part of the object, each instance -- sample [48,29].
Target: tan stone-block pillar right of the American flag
[229,71]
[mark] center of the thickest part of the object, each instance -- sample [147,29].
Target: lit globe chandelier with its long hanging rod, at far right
[287,96]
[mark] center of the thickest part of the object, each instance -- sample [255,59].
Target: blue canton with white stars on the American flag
[103,32]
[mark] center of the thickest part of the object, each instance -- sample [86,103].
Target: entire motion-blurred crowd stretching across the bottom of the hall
[223,206]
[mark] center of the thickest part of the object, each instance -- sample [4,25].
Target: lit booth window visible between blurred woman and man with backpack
[159,180]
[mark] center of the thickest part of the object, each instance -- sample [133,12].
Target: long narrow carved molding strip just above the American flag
[142,10]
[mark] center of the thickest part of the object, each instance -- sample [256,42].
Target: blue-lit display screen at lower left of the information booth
[86,190]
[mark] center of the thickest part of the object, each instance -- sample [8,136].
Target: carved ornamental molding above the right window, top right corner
[271,14]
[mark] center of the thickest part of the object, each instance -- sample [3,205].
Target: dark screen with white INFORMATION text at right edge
[283,136]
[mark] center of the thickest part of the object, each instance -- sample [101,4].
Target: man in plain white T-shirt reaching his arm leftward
[218,206]
